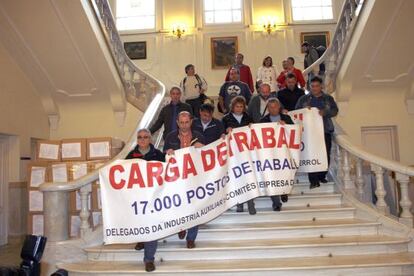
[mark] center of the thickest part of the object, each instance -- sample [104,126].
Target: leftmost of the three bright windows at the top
[135,14]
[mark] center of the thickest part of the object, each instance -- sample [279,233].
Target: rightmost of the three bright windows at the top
[303,10]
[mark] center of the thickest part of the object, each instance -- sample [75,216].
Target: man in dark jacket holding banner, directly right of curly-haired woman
[273,106]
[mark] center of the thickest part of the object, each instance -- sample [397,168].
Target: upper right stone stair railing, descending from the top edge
[334,54]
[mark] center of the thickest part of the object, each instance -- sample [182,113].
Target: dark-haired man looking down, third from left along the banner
[211,128]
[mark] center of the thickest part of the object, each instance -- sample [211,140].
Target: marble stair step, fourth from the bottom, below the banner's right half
[287,214]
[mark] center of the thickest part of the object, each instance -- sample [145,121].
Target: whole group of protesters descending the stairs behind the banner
[191,122]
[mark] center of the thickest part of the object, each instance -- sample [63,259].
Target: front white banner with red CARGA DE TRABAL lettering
[145,201]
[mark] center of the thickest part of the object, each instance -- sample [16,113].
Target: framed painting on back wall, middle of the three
[223,50]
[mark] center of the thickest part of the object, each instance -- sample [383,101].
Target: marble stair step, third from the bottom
[285,229]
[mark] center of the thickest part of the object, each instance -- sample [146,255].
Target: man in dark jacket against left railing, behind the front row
[168,114]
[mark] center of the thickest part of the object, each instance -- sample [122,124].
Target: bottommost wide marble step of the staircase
[375,264]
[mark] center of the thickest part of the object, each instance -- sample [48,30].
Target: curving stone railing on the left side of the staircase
[142,91]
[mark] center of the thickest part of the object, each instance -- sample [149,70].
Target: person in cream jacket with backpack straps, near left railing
[194,87]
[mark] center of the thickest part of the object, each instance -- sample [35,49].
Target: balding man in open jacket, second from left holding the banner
[182,138]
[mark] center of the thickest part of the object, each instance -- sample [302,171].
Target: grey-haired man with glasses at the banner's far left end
[145,150]
